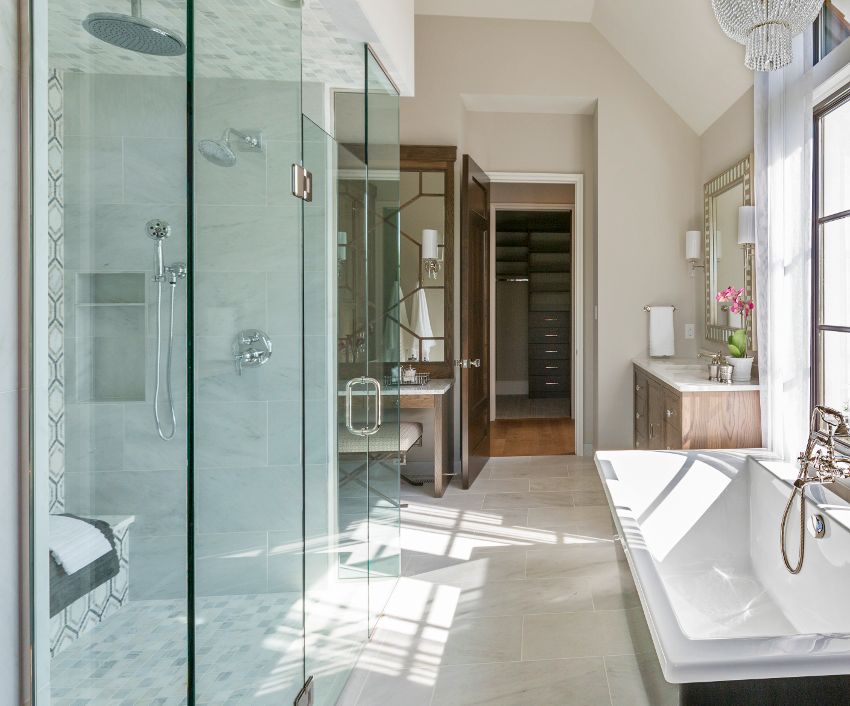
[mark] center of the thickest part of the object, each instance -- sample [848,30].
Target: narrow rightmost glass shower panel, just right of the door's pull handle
[382,150]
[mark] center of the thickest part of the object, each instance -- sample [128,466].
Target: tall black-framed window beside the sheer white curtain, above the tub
[831,254]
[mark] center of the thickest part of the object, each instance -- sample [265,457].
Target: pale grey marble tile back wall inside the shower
[125,164]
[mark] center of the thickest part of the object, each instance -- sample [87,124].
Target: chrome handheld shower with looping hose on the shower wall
[159,230]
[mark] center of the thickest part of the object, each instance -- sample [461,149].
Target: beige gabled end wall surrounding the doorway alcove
[647,170]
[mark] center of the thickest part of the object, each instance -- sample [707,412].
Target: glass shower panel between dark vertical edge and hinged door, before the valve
[248,370]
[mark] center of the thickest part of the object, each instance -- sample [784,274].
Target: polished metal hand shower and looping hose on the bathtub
[819,464]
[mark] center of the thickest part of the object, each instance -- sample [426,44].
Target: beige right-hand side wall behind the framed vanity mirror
[726,142]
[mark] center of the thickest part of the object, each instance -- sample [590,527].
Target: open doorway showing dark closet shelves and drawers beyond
[533,412]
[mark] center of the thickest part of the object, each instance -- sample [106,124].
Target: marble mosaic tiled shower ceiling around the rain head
[227,34]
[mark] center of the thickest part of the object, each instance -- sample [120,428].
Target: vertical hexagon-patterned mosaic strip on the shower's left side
[56,291]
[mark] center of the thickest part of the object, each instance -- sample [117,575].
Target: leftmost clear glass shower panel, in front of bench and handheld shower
[110,504]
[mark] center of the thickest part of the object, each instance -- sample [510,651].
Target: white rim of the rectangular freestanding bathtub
[687,660]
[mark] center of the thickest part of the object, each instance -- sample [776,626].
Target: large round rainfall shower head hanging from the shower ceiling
[134,32]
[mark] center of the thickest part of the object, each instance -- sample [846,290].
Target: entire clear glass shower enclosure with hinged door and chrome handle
[215,496]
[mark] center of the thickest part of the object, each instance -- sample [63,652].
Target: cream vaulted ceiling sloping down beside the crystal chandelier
[677,47]
